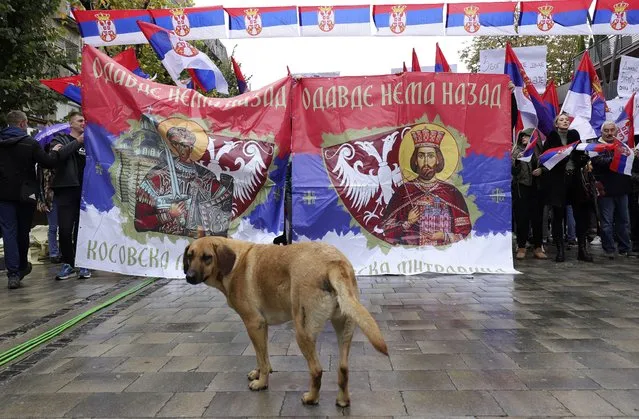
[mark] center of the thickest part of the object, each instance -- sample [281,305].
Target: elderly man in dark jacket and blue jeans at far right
[613,199]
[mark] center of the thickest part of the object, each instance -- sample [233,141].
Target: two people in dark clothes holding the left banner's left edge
[48,178]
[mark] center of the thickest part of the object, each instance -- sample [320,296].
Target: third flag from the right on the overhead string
[491,18]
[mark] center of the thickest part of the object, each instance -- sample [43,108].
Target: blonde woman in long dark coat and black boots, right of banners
[565,184]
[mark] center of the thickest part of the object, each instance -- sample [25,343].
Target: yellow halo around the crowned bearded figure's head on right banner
[448,148]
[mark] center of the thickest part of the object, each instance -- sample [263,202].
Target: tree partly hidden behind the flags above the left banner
[149,61]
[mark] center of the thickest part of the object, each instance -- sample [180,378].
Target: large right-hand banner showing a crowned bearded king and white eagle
[405,173]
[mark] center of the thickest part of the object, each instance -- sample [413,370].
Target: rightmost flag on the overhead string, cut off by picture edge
[616,17]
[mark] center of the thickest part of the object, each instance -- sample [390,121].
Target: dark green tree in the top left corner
[28,36]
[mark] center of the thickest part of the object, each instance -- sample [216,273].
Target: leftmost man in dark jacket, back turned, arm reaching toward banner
[19,154]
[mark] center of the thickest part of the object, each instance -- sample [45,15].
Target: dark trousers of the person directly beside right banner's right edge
[529,210]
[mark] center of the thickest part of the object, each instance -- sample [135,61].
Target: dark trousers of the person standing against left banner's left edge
[68,200]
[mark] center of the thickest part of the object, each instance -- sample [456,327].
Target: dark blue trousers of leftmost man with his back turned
[15,223]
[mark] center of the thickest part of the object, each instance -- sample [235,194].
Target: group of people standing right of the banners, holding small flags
[581,197]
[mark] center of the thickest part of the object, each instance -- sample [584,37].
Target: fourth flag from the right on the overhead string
[409,19]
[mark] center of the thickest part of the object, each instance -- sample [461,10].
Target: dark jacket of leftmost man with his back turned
[19,154]
